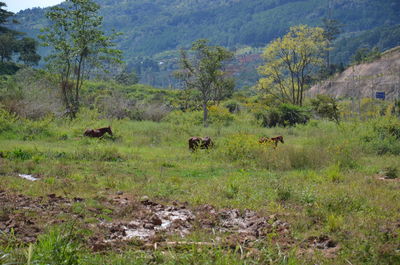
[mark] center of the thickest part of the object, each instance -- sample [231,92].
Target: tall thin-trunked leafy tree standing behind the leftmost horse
[79,45]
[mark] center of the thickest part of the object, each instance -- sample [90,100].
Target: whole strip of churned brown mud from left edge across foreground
[145,222]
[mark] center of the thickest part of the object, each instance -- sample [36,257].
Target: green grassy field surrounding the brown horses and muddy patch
[329,182]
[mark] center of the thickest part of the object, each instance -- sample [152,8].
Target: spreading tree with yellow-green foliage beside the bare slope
[290,62]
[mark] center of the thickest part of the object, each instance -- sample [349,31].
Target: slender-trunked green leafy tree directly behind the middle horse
[204,72]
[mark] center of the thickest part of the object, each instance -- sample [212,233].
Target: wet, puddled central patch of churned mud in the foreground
[149,222]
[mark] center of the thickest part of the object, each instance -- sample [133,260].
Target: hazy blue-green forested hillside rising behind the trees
[152,27]
